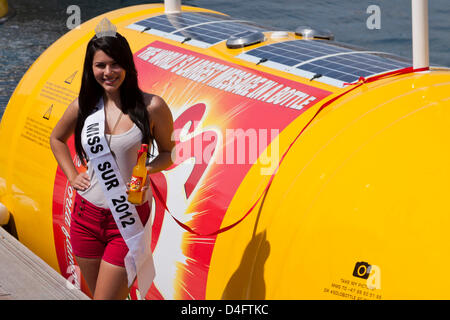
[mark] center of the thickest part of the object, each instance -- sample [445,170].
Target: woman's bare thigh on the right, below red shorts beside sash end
[112,282]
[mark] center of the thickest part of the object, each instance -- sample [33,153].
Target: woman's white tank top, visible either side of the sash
[125,147]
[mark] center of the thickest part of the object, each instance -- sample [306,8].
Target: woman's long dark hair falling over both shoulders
[131,96]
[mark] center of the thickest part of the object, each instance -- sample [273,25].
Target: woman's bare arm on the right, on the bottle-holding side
[161,121]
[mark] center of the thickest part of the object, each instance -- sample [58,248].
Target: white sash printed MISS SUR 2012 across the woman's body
[139,260]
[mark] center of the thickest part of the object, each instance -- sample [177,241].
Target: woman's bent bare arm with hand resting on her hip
[58,142]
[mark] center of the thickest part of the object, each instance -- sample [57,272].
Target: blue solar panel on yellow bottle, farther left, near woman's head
[197,28]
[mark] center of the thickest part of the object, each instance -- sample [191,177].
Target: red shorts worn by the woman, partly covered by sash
[94,233]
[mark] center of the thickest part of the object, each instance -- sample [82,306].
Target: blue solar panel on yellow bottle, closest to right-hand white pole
[325,61]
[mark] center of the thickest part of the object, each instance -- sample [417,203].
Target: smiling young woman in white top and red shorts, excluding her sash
[132,117]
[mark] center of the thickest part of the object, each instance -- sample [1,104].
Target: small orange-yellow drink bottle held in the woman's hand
[138,177]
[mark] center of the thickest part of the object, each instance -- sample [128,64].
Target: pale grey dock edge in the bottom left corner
[25,276]
